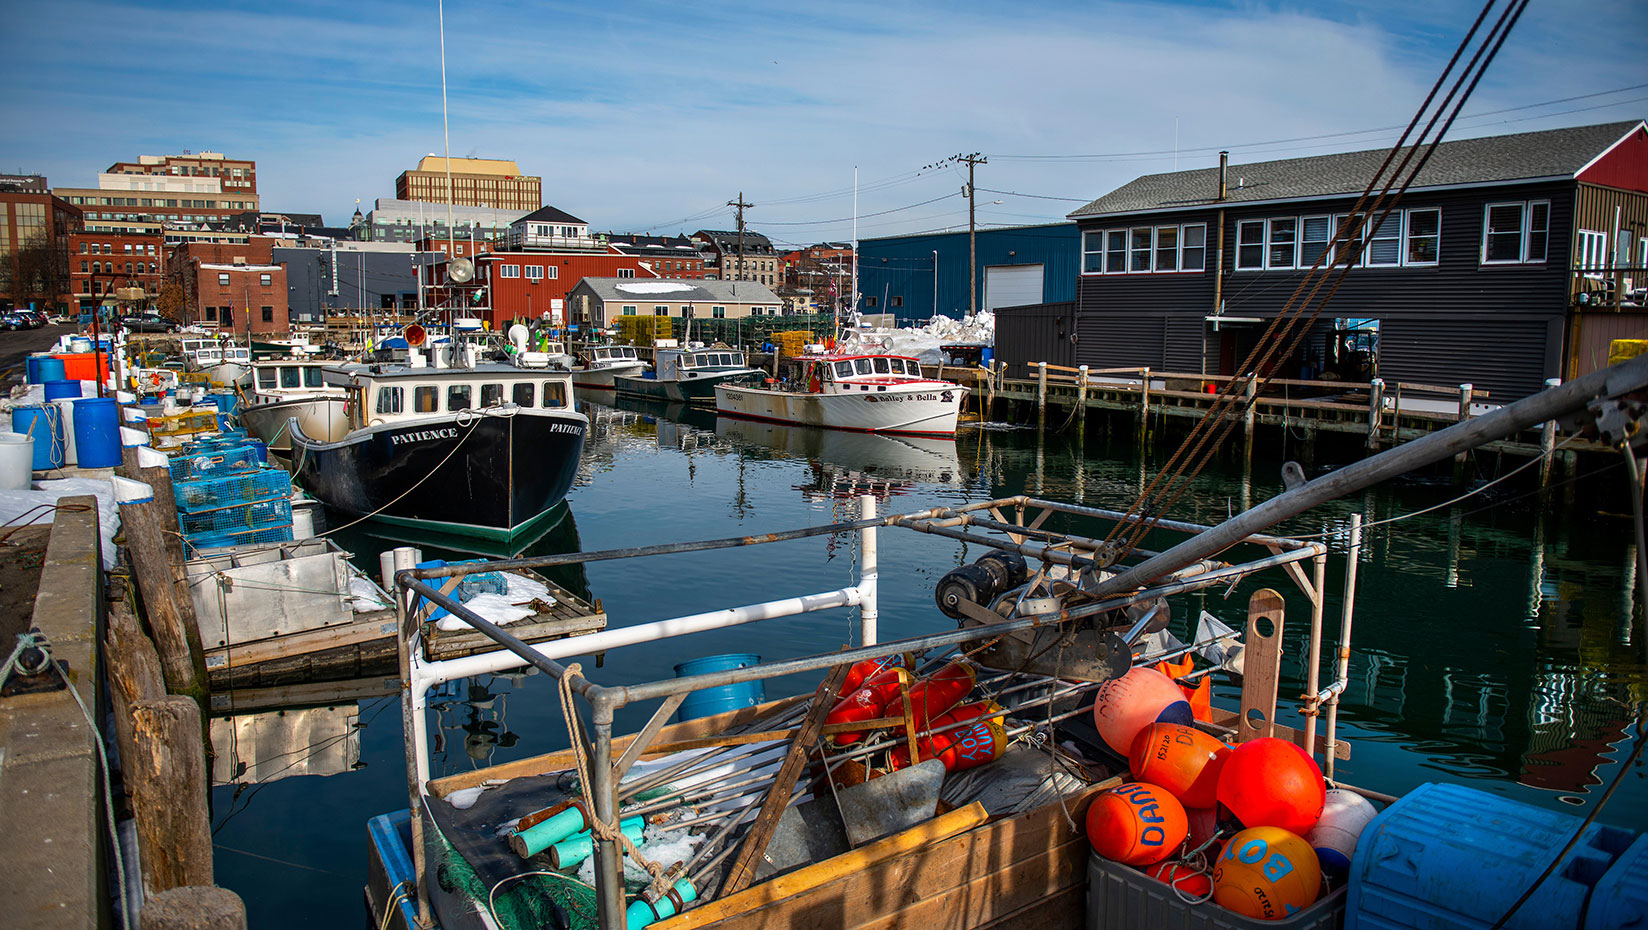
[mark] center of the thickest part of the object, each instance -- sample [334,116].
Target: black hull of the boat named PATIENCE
[484,476]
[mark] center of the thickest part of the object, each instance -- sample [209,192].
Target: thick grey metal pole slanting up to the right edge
[1599,388]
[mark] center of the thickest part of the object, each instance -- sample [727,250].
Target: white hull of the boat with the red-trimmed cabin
[901,411]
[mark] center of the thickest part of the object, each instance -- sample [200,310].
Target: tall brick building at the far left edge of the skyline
[35,233]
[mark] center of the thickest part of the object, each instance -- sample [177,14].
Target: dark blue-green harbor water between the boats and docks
[1497,641]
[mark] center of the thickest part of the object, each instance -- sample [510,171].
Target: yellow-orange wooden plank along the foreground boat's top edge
[831,873]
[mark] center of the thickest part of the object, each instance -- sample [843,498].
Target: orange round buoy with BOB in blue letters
[1266,873]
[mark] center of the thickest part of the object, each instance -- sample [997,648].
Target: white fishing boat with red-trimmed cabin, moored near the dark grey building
[864,393]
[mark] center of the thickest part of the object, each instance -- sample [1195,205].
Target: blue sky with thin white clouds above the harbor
[648,118]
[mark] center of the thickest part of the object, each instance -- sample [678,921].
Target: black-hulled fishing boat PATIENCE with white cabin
[477,448]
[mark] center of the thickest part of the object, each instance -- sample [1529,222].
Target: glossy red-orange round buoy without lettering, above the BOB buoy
[1271,782]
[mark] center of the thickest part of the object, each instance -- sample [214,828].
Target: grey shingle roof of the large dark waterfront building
[1525,156]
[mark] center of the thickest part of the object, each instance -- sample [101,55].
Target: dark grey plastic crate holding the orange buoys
[1121,898]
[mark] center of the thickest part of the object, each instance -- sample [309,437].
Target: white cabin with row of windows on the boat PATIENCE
[378,395]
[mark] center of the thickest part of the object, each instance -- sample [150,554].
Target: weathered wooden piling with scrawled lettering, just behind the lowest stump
[167,777]
